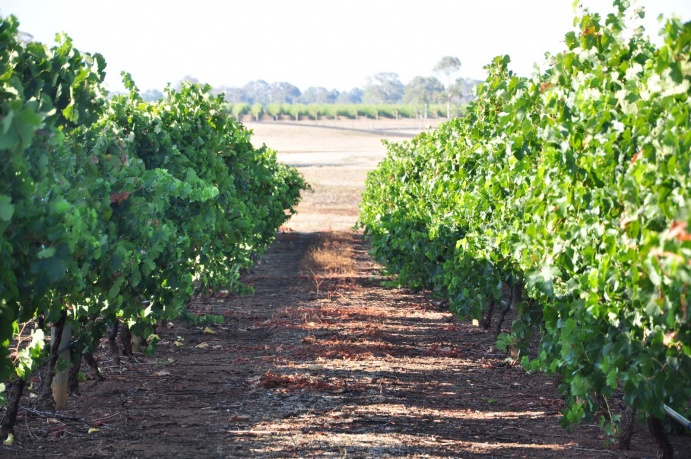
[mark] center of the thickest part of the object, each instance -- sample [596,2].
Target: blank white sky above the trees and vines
[336,44]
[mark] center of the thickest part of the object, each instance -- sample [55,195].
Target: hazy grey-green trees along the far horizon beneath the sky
[382,88]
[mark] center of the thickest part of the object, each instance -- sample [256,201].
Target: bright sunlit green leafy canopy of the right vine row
[575,184]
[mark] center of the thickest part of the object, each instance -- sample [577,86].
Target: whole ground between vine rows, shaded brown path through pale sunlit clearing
[322,360]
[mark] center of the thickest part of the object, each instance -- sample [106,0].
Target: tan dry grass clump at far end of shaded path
[331,255]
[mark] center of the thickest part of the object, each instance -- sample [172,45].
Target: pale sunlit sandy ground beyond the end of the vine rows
[334,158]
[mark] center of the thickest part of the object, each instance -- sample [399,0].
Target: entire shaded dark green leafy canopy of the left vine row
[112,209]
